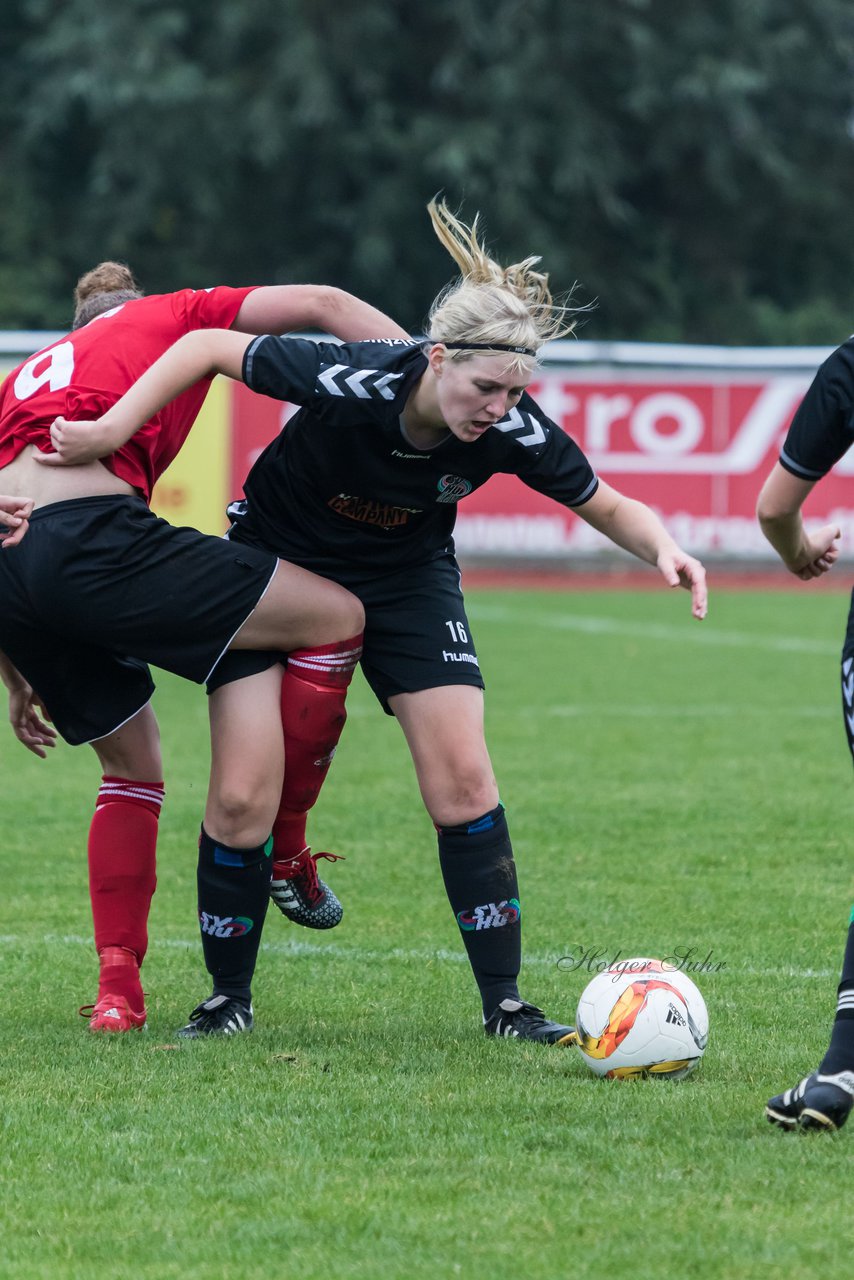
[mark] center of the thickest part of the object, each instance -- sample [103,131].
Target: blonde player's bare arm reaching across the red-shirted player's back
[198,355]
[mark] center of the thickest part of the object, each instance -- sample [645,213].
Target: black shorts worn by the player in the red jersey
[102,587]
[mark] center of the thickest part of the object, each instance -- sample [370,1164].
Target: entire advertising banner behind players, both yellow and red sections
[692,432]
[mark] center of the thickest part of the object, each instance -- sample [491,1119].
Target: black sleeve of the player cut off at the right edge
[823,429]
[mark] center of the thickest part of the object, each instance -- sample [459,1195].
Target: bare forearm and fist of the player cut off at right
[779,511]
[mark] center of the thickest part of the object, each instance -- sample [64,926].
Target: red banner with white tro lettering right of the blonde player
[695,449]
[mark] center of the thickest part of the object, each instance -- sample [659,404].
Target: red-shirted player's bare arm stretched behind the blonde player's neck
[284,308]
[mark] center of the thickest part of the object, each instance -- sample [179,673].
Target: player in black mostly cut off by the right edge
[823,431]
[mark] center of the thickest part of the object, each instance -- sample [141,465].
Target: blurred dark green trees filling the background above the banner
[689,164]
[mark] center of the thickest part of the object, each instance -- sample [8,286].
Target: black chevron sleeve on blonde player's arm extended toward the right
[549,460]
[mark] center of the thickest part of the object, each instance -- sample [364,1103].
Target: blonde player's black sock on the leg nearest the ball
[479,874]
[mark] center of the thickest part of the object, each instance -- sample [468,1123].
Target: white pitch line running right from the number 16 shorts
[693,633]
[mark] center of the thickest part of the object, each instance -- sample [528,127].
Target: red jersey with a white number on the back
[84,374]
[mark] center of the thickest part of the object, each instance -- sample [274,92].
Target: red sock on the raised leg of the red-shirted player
[314,691]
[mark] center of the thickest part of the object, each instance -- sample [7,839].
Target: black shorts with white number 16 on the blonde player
[417,632]
